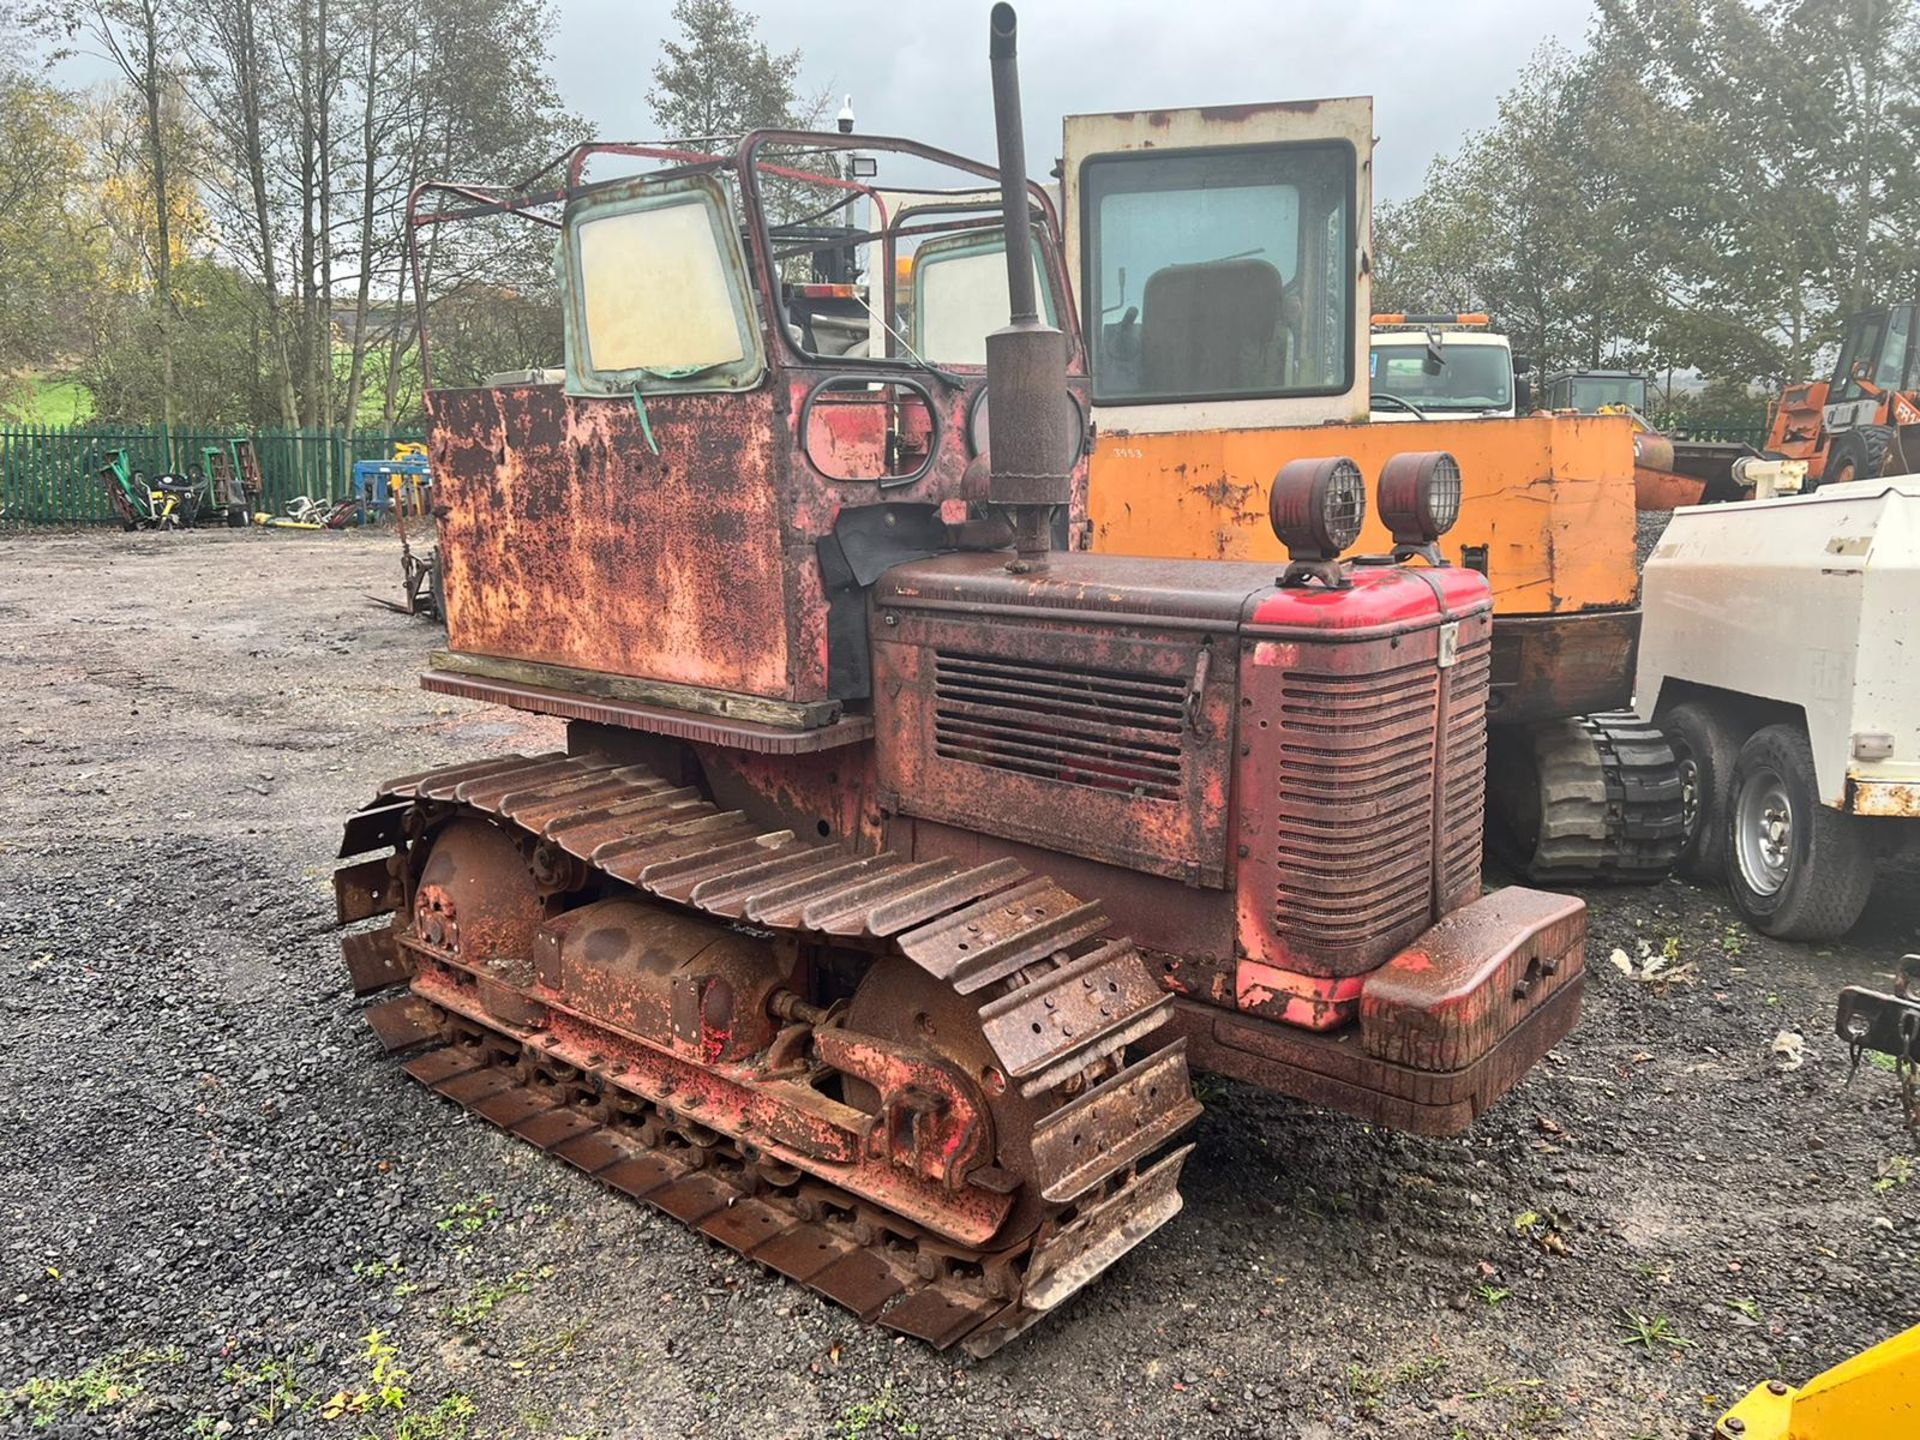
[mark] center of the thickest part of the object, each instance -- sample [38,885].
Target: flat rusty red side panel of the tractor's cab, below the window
[569,540]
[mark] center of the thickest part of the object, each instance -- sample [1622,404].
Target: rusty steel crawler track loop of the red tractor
[1057,1003]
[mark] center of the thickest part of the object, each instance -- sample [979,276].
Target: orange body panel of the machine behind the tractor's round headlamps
[1550,498]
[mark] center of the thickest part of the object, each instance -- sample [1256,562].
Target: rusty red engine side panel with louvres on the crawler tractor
[1097,732]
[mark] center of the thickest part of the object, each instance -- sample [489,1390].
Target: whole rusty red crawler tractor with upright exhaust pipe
[817,934]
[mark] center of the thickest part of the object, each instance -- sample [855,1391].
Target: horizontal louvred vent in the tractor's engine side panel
[1111,731]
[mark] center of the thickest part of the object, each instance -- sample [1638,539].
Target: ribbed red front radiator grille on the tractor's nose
[1356,798]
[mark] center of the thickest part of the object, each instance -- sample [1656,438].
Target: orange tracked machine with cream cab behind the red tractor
[1224,270]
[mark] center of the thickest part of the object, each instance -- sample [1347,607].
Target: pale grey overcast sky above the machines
[921,70]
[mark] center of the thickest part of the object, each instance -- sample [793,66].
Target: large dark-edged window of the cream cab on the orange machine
[1220,274]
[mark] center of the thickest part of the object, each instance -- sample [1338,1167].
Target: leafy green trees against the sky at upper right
[1710,185]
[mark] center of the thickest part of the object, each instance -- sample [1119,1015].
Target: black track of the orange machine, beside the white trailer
[1606,804]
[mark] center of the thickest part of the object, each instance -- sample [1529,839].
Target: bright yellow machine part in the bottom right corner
[1873,1397]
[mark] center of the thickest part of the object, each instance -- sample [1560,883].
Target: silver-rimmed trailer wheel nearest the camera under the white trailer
[1798,871]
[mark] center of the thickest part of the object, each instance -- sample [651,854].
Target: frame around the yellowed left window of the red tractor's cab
[635,197]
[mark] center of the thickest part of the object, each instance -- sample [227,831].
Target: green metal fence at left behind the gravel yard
[51,475]
